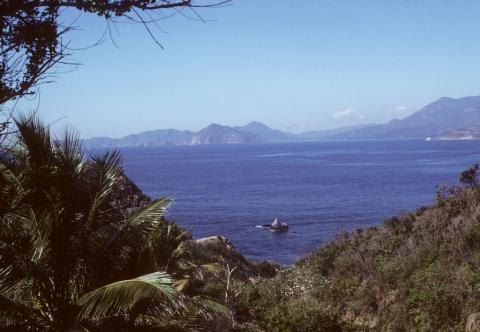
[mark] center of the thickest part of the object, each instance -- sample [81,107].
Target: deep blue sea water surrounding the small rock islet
[318,188]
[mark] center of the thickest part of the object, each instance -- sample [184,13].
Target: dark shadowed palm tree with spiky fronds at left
[66,250]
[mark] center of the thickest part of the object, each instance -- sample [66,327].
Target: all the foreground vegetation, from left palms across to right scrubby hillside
[81,248]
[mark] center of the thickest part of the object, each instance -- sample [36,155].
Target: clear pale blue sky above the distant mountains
[294,64]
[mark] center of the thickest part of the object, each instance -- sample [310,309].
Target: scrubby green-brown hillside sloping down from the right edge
[419,271]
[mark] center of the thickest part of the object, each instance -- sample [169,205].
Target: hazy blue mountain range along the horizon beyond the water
[446,118]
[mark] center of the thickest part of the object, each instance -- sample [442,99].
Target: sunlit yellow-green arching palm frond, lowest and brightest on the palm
[122,296]
